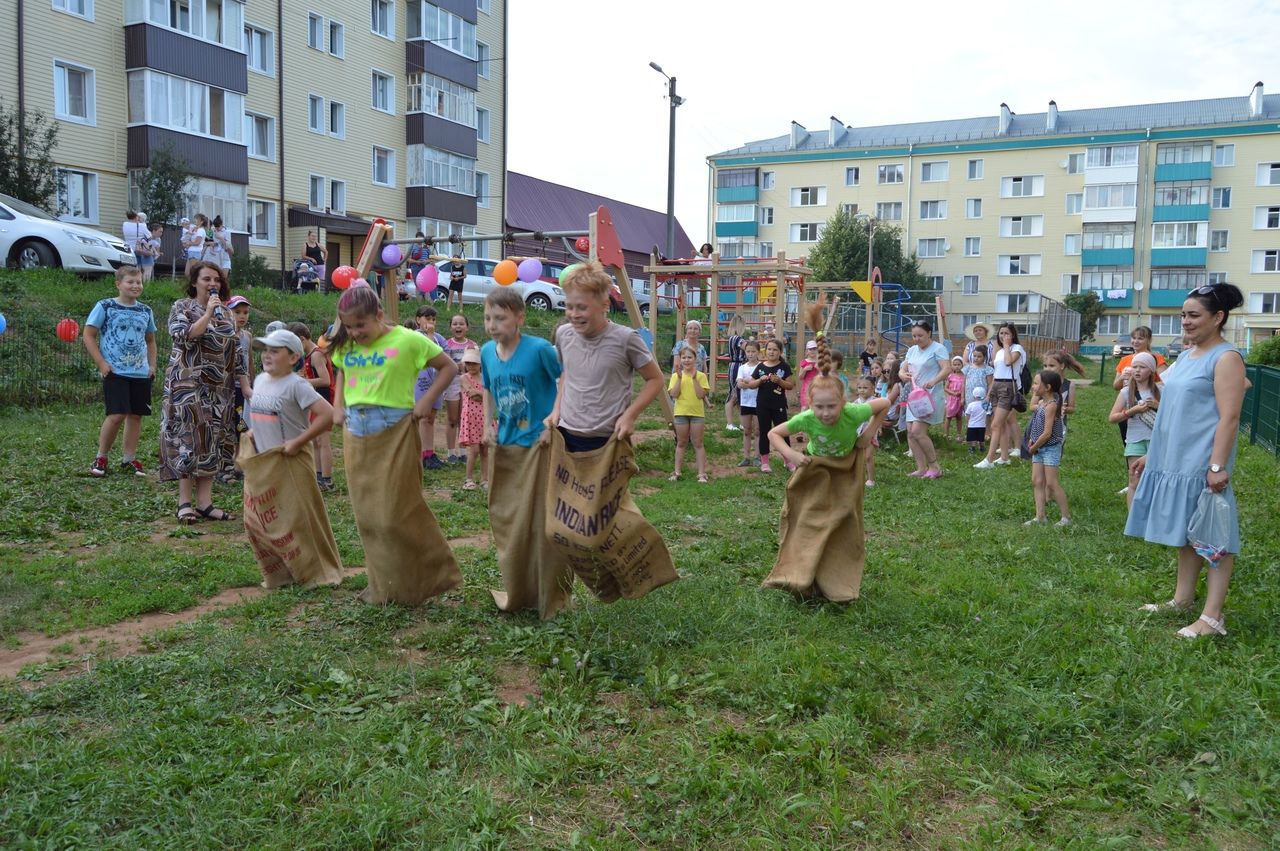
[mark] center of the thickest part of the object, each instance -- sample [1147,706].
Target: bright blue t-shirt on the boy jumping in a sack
[523,388]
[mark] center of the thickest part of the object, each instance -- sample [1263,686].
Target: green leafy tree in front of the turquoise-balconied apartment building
[842,255]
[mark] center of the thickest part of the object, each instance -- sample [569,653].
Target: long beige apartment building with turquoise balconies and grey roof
[1140,204]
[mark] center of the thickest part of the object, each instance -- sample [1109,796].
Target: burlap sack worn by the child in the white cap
[286,519]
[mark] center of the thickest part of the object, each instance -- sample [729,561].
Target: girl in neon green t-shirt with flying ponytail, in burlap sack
[822,548]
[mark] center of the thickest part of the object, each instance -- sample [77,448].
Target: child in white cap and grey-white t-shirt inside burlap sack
[285,515]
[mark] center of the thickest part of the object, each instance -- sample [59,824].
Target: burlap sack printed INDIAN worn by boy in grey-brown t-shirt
[596,527]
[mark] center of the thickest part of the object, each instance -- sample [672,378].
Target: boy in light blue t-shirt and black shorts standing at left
[121,337]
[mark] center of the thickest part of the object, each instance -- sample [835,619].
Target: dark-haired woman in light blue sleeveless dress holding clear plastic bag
[1194,449]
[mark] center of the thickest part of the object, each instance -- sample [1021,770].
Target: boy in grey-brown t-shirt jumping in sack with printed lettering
[591,518]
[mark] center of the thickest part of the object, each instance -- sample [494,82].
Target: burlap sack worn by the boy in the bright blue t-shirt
[536,575]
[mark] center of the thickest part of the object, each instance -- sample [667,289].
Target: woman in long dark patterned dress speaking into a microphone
[199,425]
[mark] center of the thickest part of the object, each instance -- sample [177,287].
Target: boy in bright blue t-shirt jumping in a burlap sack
[520,376]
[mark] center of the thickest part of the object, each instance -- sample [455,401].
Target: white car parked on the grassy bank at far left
[31,239]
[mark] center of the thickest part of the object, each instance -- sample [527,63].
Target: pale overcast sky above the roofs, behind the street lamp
[587,111]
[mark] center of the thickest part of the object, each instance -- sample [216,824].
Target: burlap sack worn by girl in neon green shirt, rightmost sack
[822,548]
